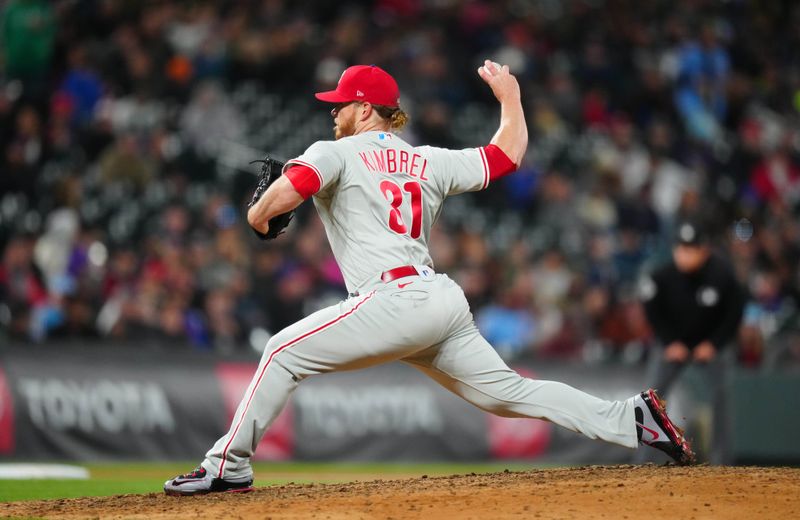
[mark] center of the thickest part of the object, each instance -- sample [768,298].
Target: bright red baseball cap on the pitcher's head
[364,83]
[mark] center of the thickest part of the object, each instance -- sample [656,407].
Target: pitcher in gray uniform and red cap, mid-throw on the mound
[378,197]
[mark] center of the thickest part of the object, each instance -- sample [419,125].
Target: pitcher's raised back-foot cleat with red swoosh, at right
[655,429]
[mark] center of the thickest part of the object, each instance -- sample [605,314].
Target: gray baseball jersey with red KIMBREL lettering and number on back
[379,197]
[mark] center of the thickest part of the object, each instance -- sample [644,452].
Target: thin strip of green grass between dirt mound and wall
[125,478]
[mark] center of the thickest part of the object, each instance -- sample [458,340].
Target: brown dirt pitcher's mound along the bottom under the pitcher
[632,492]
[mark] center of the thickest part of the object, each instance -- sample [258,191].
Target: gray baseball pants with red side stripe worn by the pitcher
[424,321]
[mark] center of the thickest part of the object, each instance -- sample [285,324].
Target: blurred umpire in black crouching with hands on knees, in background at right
[694,305]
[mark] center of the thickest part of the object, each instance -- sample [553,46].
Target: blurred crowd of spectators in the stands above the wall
[126,129]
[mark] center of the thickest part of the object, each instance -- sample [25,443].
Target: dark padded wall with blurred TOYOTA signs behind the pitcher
[126,404]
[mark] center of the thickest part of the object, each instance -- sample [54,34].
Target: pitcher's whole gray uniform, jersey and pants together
[378,197]
